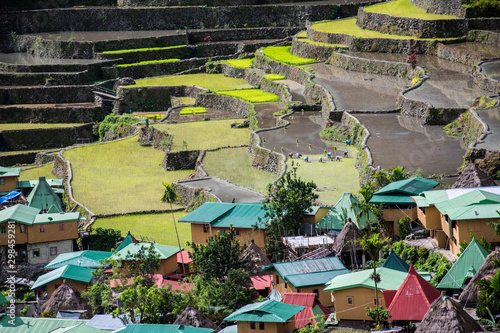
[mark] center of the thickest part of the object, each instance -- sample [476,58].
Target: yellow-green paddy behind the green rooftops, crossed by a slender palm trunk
[157,226]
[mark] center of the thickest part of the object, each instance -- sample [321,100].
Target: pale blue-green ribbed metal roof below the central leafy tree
[311,272]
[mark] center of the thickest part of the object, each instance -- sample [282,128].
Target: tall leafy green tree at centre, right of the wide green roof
[287,201]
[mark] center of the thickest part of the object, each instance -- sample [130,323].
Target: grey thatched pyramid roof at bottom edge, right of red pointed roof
[447,316]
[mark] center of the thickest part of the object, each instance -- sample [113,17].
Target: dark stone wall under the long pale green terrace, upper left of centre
[154,98]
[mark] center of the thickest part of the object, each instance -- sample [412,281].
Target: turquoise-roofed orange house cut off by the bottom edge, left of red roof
[269,316]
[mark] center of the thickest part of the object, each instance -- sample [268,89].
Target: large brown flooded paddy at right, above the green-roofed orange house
[399,140]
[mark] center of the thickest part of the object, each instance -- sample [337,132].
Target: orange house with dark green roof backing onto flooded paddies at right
[396,202]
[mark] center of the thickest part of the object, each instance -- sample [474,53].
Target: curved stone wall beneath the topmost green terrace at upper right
[406,26]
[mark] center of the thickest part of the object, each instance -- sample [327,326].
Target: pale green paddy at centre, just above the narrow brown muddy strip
[235,166]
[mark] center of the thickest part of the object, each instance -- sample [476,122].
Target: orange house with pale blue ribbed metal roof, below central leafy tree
[307,276]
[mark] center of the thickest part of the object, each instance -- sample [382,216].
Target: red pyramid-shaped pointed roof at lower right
[413,298]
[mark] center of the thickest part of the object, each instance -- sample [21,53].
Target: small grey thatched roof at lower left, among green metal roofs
[66,297]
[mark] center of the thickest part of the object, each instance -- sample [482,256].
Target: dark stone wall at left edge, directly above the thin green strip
[70,114]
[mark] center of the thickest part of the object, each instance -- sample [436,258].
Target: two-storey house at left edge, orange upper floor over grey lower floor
[39,238]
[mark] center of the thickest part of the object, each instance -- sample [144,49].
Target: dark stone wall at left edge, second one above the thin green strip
[46,95]
